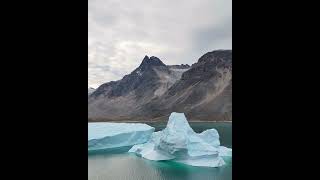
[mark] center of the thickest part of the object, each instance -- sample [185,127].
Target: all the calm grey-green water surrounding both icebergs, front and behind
[118,165]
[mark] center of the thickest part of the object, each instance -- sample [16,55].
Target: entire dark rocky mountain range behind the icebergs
[154,90]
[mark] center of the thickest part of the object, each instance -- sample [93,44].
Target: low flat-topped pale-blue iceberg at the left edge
[103,136]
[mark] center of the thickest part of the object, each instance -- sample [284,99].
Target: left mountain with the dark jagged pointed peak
[124,98]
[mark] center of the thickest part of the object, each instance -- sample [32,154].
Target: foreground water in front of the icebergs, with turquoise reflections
[130,167]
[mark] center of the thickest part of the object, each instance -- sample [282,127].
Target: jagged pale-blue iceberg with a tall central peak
[178,142]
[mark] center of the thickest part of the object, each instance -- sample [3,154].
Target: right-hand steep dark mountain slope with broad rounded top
[204,92]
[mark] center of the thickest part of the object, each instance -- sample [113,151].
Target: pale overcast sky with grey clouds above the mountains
[122,32]
